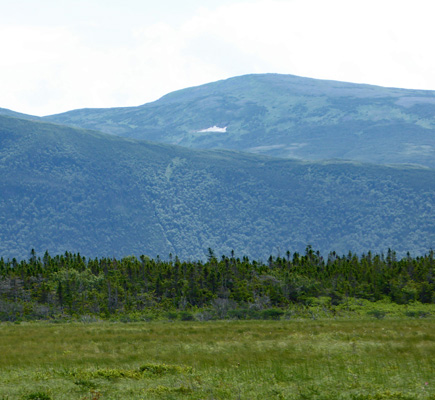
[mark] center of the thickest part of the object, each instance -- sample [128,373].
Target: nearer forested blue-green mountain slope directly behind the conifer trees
[67,189]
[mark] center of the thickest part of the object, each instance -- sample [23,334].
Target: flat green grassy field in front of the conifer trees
[295,359]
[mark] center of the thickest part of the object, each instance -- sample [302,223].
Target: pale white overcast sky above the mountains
[59,55]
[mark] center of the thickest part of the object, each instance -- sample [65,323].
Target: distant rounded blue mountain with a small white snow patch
[283,116]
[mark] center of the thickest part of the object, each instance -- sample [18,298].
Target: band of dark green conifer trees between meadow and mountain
[129,289]
